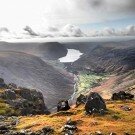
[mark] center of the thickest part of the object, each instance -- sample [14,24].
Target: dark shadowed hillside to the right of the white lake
[107,57]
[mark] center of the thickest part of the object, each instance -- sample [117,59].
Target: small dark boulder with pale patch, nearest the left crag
[63,106]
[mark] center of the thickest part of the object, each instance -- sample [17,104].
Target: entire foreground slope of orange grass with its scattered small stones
[119,120]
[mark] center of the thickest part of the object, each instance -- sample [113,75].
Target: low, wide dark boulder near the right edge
[122,95]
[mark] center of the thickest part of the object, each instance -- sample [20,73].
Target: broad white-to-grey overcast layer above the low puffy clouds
[37,13]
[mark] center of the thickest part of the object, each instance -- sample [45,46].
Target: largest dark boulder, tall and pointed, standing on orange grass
[95,104]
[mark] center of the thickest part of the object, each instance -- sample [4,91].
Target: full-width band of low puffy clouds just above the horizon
[66,31]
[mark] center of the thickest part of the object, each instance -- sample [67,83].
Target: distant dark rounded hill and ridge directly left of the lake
[46,51]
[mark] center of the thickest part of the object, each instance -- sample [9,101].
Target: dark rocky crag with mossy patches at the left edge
[20,101]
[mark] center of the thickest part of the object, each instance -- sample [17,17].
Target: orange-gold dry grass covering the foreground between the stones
[116,120]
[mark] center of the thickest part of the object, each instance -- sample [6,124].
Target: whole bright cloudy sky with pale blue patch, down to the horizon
[26,18]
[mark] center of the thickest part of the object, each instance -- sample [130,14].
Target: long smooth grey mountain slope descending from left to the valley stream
[30,71]
